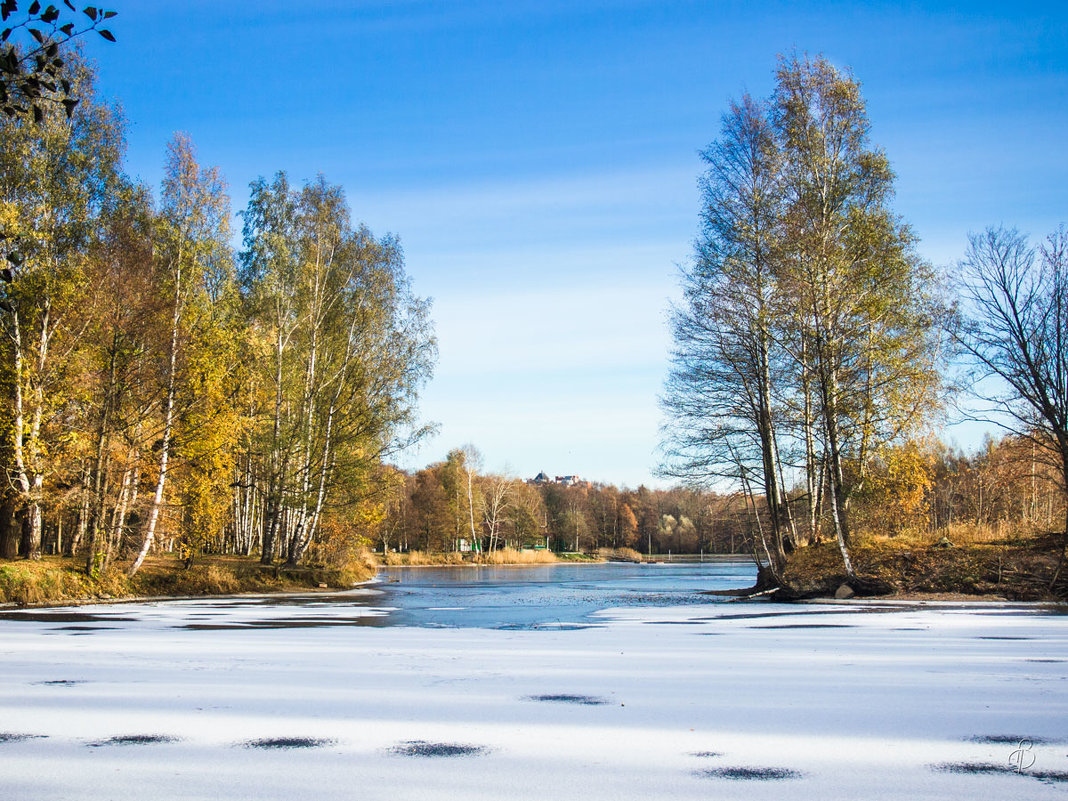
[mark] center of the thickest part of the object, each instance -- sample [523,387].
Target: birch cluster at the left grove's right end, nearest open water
[347,348]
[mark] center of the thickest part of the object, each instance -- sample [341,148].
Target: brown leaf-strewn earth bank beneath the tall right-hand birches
[1016,569]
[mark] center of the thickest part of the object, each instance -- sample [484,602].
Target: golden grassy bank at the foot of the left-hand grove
[58,580]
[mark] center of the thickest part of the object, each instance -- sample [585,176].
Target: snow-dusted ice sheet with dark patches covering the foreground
[246,700]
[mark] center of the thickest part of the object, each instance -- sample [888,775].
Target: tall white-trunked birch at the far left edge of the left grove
[57,180]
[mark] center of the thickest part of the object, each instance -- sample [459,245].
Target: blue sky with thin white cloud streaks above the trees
[539,162]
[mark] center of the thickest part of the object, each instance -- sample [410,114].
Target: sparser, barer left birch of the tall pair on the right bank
[720,395]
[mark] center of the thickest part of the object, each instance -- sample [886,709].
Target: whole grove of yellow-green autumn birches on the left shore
[163,387]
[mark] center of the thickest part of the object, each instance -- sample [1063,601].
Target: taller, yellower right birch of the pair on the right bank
[866,305]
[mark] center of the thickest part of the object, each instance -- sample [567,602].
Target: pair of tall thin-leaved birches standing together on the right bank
[810,324]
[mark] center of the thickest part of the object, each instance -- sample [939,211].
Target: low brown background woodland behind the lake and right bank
[921,486]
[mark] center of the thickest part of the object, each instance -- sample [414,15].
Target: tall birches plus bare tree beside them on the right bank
[814,349]
